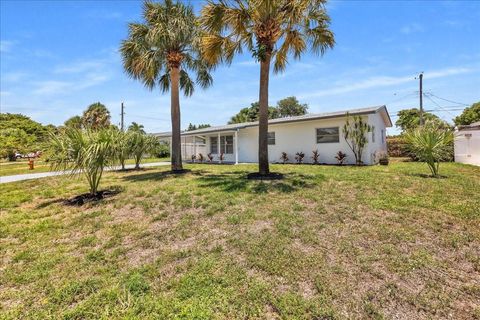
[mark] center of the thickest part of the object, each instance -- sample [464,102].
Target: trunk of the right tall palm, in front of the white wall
[263,166]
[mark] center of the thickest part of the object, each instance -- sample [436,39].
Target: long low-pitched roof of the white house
[307,117]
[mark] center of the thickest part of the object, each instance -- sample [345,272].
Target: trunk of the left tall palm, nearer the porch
[175,111]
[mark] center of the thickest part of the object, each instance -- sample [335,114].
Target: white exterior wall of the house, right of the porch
[300,136]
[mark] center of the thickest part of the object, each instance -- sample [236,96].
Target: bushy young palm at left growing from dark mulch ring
[84,152]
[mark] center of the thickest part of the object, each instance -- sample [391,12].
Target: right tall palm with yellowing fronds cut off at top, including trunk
[269,29]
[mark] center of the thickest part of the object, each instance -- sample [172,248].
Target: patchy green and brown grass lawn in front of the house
[326,242]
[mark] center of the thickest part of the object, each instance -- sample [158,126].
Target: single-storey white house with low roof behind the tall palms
[322,132]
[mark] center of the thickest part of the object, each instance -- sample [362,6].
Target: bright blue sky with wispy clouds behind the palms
[58,57]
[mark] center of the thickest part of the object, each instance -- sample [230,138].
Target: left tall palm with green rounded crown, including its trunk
[160,51]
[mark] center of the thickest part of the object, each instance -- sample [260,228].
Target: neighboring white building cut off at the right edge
[467,144]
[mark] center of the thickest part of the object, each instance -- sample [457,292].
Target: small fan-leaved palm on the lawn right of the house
[430,144]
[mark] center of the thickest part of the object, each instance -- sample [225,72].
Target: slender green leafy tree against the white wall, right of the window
[355,133]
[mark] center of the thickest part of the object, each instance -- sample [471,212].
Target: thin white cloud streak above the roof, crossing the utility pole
[384,81]
